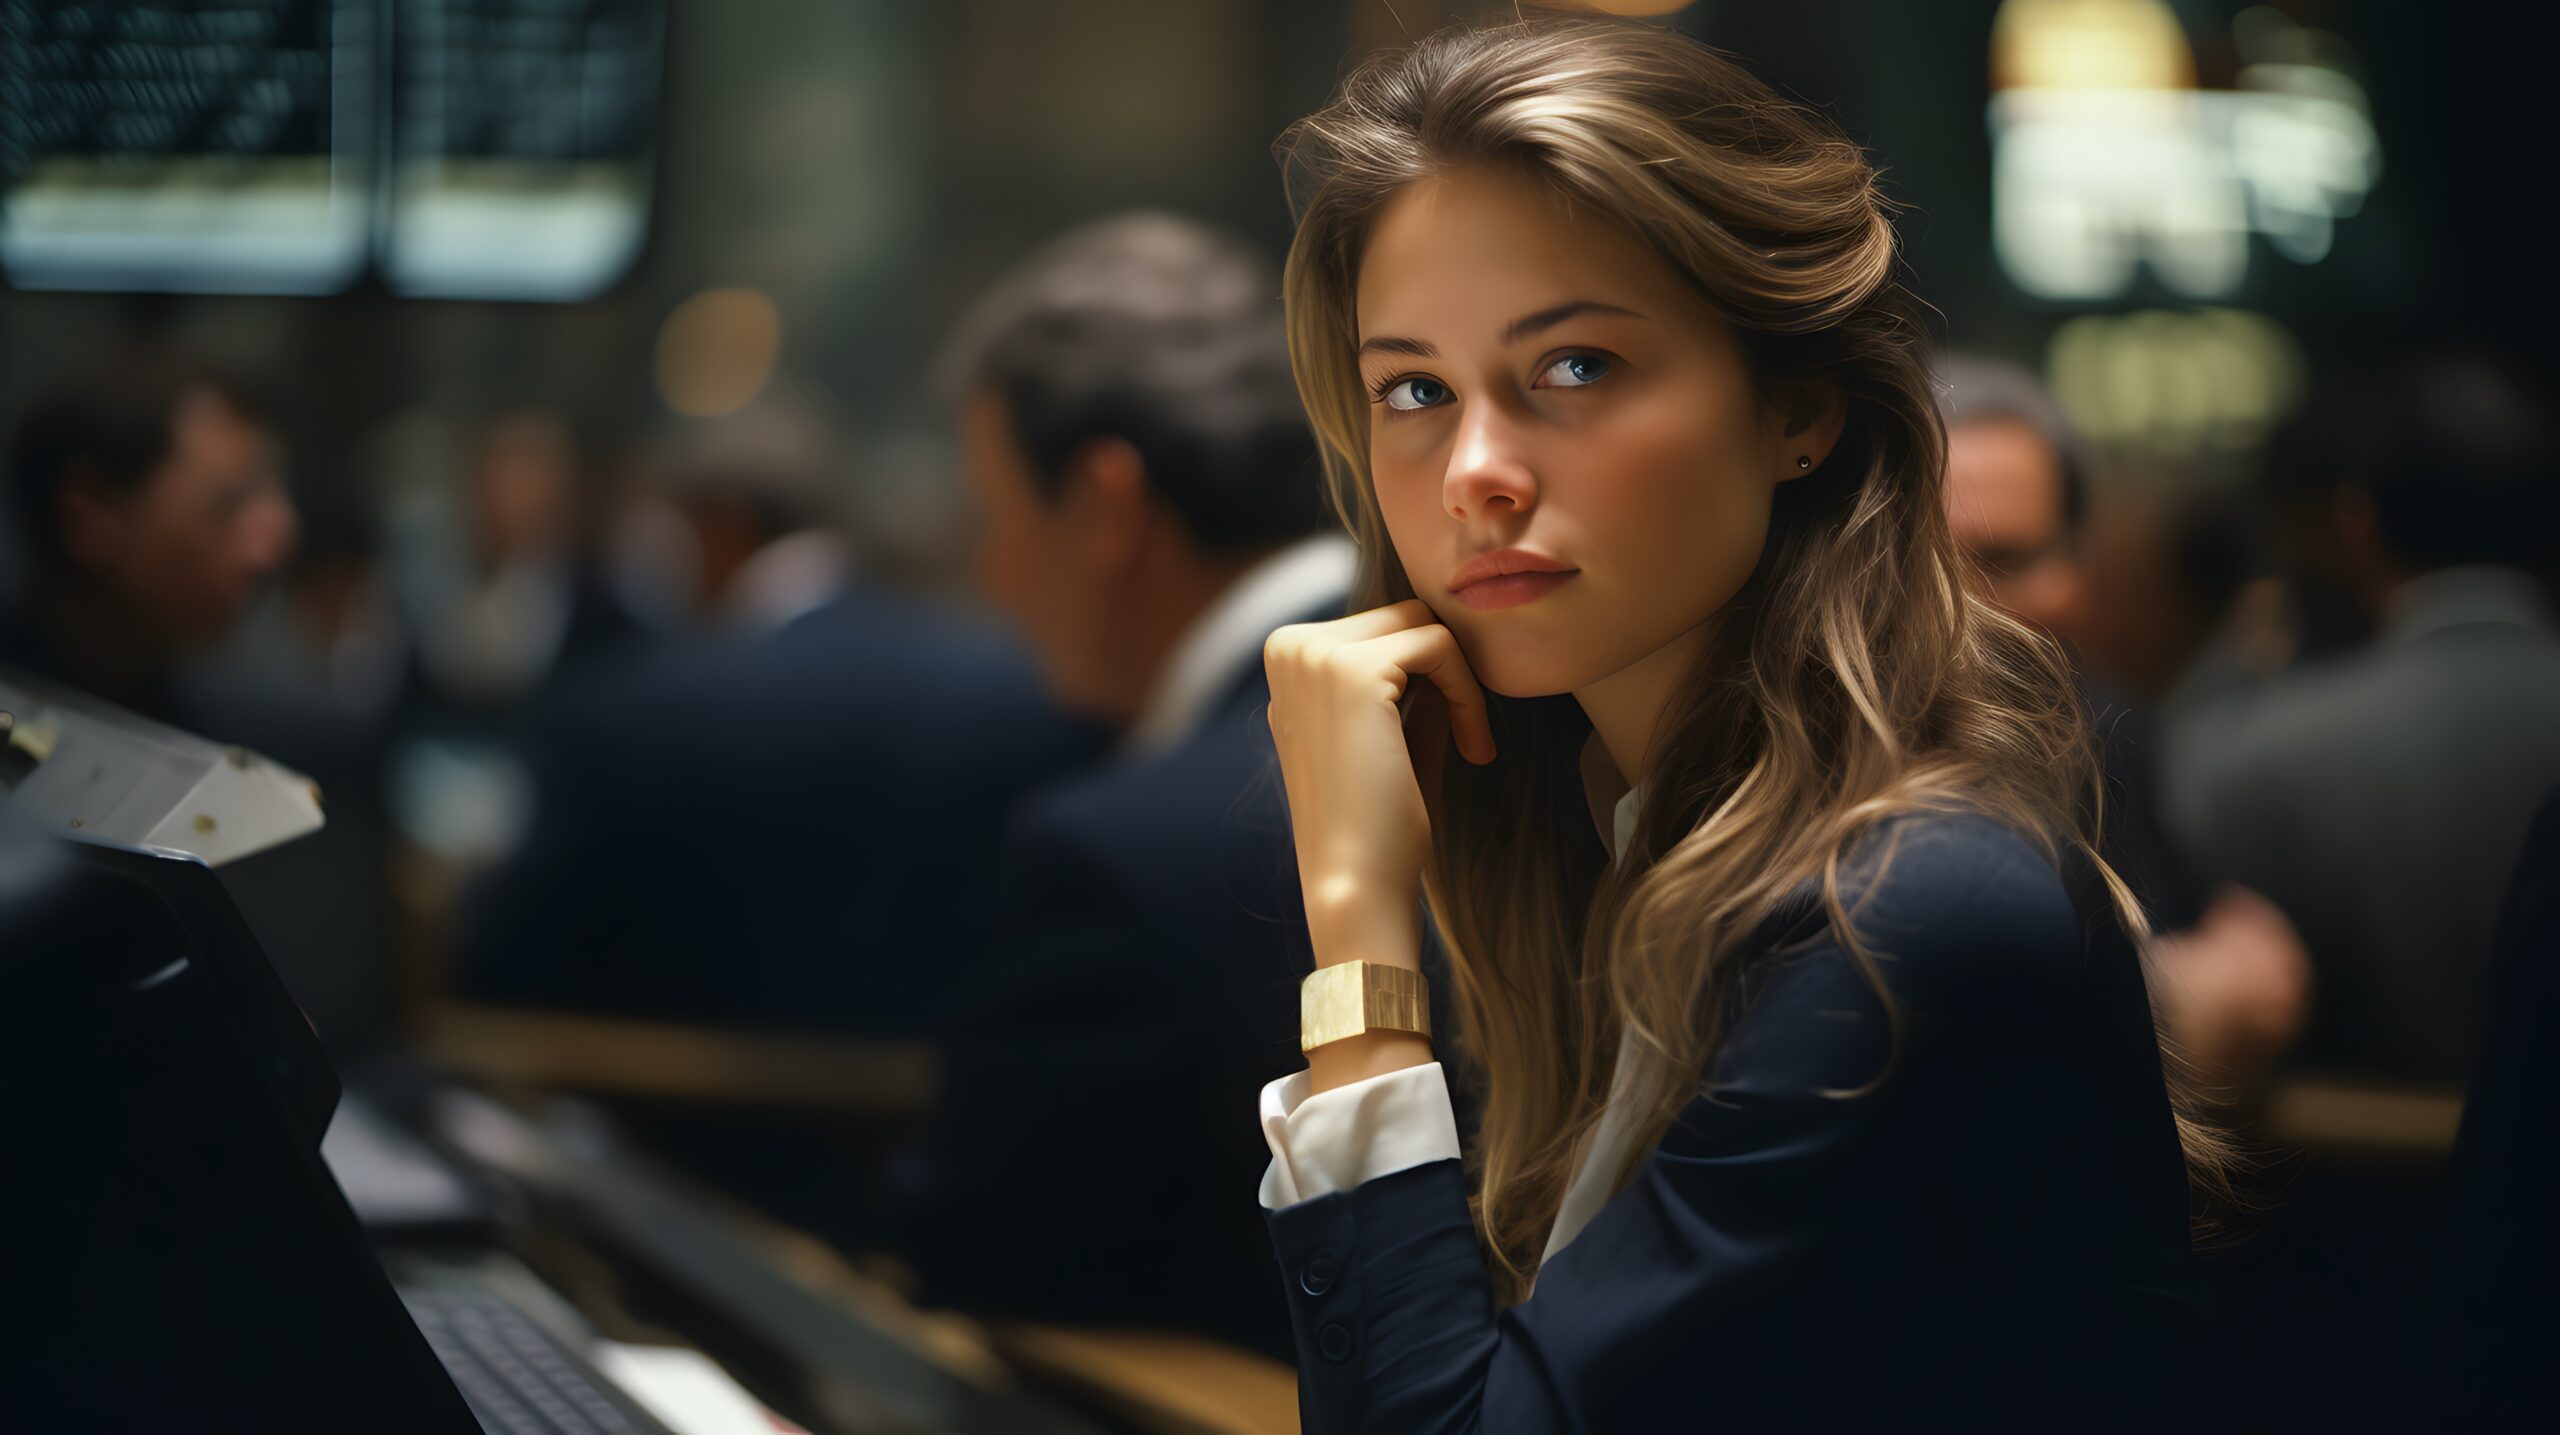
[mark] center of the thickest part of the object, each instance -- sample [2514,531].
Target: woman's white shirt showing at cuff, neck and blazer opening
[1371,1129]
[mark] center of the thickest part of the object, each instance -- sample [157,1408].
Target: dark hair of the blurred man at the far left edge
[109,421]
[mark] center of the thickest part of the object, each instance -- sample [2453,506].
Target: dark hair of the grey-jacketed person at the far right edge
[2464,467]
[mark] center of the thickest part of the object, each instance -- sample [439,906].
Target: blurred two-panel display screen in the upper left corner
[465,147]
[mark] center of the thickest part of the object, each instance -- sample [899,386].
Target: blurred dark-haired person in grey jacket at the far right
[2382,797]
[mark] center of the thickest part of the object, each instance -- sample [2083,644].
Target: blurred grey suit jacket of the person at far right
[2382,799]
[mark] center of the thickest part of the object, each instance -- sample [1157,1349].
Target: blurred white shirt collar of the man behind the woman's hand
[1228,638]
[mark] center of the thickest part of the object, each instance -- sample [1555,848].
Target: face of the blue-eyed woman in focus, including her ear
[1560,408]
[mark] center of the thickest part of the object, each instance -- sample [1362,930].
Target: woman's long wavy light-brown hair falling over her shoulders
[1855,677]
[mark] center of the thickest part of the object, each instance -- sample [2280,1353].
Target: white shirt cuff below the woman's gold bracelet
[1330,1142]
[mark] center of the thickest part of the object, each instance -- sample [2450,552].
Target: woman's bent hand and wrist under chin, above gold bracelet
[1350,756]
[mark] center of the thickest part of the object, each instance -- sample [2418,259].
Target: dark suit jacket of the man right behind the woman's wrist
[1102,1078]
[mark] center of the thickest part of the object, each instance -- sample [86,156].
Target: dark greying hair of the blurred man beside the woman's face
[1166,336]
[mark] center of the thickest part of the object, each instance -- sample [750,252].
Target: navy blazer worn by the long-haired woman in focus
[1965,1204]
